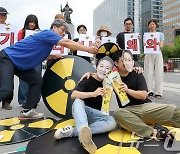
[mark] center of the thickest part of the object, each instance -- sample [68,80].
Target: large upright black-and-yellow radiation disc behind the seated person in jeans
[59,82]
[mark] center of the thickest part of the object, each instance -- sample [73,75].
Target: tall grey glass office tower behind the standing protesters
[113,12]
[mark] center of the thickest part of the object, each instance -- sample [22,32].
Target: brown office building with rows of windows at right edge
[171,20]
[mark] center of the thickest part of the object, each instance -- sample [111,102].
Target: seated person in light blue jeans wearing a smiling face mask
[86,108]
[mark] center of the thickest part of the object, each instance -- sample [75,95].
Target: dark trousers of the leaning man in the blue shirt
[31,77]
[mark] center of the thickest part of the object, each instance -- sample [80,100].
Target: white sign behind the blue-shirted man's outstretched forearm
[87,41]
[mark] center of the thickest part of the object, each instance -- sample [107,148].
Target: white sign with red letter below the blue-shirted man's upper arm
[57,49]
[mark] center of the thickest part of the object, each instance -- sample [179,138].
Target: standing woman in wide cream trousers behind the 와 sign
[153,66]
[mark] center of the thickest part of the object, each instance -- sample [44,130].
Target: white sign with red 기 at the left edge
[8,35]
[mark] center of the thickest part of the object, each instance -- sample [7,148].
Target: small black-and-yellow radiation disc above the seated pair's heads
[106,49]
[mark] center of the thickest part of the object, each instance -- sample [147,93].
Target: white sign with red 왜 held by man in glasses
[132,42]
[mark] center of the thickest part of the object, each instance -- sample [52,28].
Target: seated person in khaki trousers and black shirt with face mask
[140,112]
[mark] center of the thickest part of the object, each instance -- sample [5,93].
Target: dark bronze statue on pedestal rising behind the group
[67,11]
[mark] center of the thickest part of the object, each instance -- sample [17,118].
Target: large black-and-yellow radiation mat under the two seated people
[118,141]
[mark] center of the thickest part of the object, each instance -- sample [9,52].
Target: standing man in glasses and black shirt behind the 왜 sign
[128,26]
